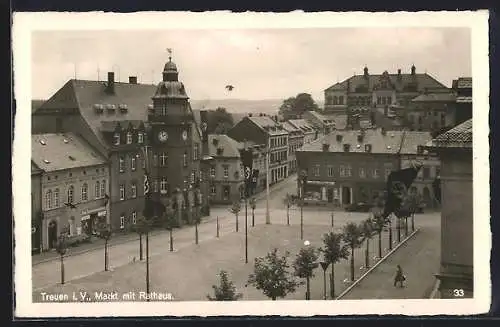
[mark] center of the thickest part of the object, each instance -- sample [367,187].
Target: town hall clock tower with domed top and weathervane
[175,145]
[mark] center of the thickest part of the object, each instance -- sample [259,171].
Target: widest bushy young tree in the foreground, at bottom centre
[272,276]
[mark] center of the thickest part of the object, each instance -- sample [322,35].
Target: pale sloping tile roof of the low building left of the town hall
[62,151]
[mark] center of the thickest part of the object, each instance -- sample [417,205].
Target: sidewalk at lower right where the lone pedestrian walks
[419,258]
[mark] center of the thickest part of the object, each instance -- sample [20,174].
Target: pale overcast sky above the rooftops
[261,64]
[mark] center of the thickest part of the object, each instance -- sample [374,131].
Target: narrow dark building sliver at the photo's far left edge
[36,208]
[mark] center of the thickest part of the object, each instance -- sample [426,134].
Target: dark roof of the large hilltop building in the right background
[423,81]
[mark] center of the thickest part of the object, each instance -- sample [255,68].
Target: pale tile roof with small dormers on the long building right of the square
[381,144]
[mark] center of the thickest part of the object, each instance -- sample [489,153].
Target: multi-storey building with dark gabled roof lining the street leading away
[266,131]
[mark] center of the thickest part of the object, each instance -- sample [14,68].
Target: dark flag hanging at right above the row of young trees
[398,183]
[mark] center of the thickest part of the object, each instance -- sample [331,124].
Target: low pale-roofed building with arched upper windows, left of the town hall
[74,186]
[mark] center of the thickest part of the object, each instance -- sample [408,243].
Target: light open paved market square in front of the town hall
[85,271]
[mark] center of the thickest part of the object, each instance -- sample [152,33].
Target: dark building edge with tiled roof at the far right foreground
[454,149]
